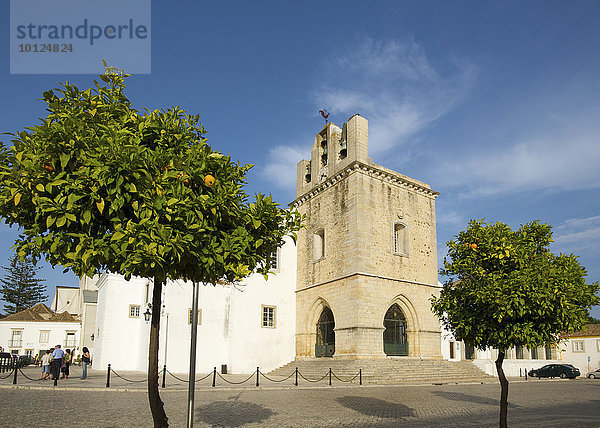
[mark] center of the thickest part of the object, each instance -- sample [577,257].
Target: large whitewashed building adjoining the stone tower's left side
[243,326]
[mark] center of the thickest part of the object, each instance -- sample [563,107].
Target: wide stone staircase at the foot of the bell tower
[402,370]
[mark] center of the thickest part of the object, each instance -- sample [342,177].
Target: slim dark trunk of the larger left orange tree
[156,404]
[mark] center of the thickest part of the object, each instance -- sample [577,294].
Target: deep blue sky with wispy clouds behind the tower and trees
[495,104]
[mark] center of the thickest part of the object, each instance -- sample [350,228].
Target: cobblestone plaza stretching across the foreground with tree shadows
[532,403]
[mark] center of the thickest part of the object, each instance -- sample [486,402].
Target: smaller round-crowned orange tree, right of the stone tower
[505,288]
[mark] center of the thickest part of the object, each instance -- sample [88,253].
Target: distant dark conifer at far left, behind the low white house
[20,288]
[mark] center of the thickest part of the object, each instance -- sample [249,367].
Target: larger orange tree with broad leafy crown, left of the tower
[99,186]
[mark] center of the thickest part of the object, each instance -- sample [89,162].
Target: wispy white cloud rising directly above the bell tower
[394,85]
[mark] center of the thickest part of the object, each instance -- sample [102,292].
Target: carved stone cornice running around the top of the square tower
[373,170]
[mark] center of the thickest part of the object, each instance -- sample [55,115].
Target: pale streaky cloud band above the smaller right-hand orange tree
[548,162]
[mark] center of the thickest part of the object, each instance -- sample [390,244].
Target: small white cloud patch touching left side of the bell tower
[280,168]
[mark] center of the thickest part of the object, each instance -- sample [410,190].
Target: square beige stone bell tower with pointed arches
[367,262]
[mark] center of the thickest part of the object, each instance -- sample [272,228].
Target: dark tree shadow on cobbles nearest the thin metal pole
[232,413]
